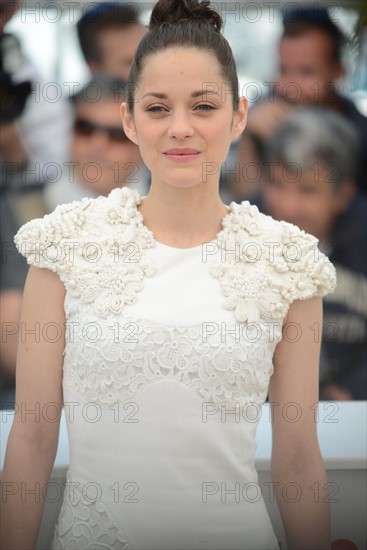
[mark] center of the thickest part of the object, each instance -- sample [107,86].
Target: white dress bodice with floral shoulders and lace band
[177,303]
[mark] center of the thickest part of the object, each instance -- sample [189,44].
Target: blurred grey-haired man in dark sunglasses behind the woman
[102,156]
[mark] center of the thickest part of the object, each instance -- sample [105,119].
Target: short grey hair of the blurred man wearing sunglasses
[101,88]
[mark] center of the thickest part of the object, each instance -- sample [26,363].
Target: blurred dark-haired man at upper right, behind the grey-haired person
[310,64]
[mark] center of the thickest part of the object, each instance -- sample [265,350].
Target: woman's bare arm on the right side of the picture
[298,472]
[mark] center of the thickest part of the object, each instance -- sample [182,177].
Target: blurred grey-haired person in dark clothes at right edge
[312,184]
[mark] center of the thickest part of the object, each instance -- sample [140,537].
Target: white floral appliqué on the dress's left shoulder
[96,246]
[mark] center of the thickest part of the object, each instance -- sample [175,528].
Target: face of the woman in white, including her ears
[183,117]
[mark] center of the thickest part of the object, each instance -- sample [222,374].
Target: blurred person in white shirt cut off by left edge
[33,133]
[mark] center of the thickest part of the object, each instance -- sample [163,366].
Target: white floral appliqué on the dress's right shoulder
[264,265]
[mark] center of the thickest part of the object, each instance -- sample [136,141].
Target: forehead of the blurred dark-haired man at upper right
[312,46]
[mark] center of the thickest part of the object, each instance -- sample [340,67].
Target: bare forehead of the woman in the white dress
[176,70]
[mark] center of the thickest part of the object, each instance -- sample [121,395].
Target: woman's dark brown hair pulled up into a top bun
[184,23]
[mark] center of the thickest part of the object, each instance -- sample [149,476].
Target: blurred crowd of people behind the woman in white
[301,159]
